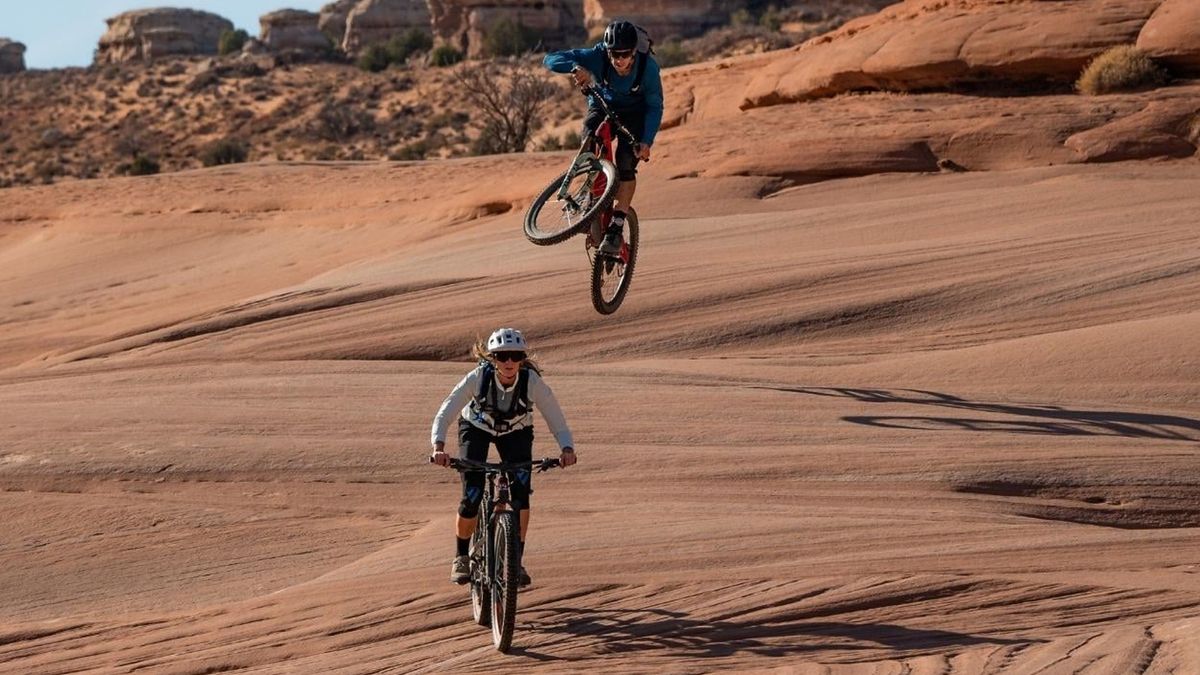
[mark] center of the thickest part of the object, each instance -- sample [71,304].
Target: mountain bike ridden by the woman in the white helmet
[495,564]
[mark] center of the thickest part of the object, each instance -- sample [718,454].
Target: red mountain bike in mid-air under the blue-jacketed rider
[580,201]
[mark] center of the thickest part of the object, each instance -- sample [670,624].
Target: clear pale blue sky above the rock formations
[65,33]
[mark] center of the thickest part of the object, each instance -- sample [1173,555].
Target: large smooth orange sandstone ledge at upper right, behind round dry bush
[937,44]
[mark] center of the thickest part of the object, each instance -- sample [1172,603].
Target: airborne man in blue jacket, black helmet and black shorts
[633,88]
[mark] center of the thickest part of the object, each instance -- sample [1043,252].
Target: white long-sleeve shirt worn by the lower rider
[541,397]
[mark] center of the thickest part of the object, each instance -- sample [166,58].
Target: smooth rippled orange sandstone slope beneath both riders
[923,423]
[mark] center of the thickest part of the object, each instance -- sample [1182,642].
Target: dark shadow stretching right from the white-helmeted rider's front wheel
[658,630]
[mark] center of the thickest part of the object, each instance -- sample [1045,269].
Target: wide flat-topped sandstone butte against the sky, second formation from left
[151,34]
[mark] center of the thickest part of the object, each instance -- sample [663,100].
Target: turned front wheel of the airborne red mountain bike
[591,188]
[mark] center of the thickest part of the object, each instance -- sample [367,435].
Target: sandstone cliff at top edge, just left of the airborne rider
[465,23]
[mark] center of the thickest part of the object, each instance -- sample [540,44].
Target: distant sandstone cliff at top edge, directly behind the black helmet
[662,19]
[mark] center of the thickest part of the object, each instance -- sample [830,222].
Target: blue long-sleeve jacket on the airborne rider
[621,94]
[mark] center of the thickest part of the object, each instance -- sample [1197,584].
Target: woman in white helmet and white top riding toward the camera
[494,405]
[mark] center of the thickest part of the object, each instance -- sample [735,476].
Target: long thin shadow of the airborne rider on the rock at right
[1041,420]
